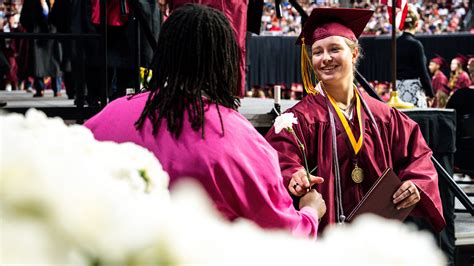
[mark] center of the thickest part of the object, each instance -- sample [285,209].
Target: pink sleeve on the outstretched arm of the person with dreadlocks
[263,198]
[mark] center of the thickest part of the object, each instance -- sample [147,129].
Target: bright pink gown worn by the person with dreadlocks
[239,170]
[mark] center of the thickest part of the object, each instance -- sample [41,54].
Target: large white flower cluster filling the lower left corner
[66,196]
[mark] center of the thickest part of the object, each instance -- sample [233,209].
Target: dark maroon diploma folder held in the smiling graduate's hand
[378,199]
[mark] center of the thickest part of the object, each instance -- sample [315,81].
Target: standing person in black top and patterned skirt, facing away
[413,80]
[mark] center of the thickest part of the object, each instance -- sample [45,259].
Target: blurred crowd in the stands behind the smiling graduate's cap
[439,16]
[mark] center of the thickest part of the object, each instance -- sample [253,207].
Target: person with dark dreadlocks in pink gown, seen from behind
[189,121]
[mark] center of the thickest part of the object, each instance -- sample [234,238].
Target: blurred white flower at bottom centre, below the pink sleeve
[209,239]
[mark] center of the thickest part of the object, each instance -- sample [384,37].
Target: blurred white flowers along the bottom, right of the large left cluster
[370,240]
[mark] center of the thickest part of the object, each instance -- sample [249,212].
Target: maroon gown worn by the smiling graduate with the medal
[399,146]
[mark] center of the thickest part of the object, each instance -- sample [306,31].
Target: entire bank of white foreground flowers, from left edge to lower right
[68,199]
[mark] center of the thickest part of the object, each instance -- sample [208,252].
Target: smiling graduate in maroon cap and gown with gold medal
[351,137]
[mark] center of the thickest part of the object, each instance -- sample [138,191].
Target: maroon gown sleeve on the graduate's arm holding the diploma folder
[411,158]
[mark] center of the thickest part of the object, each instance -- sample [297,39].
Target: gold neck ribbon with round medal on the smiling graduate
[357,173]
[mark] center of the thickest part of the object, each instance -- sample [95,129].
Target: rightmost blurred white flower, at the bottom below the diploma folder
[372,240]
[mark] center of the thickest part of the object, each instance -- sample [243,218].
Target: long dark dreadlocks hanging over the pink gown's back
[197,55]
